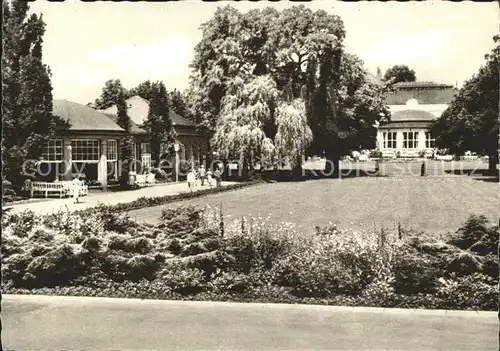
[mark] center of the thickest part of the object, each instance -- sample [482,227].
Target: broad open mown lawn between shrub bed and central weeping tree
[434,203]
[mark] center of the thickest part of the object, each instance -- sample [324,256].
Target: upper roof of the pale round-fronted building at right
[425,93]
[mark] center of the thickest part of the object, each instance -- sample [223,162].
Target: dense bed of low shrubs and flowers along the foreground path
[193,254]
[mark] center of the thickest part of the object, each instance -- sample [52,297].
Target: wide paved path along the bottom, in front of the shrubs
[75,323]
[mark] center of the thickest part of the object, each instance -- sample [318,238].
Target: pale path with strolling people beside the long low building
[48,206]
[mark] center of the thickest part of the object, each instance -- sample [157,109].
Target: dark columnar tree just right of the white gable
[158,122]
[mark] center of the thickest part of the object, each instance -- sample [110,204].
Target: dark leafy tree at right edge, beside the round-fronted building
[471,120]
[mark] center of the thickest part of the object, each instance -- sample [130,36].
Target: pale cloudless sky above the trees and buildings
[86,44]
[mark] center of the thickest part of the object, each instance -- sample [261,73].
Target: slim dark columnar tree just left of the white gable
[126,144]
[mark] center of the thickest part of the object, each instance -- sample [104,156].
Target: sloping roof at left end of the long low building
[82,117]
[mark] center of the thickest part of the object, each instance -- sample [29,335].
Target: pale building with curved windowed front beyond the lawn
[413,107]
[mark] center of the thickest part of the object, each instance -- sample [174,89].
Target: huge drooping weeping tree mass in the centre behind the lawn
[294,55]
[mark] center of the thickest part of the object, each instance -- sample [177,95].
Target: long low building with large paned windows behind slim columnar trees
[91,145]
